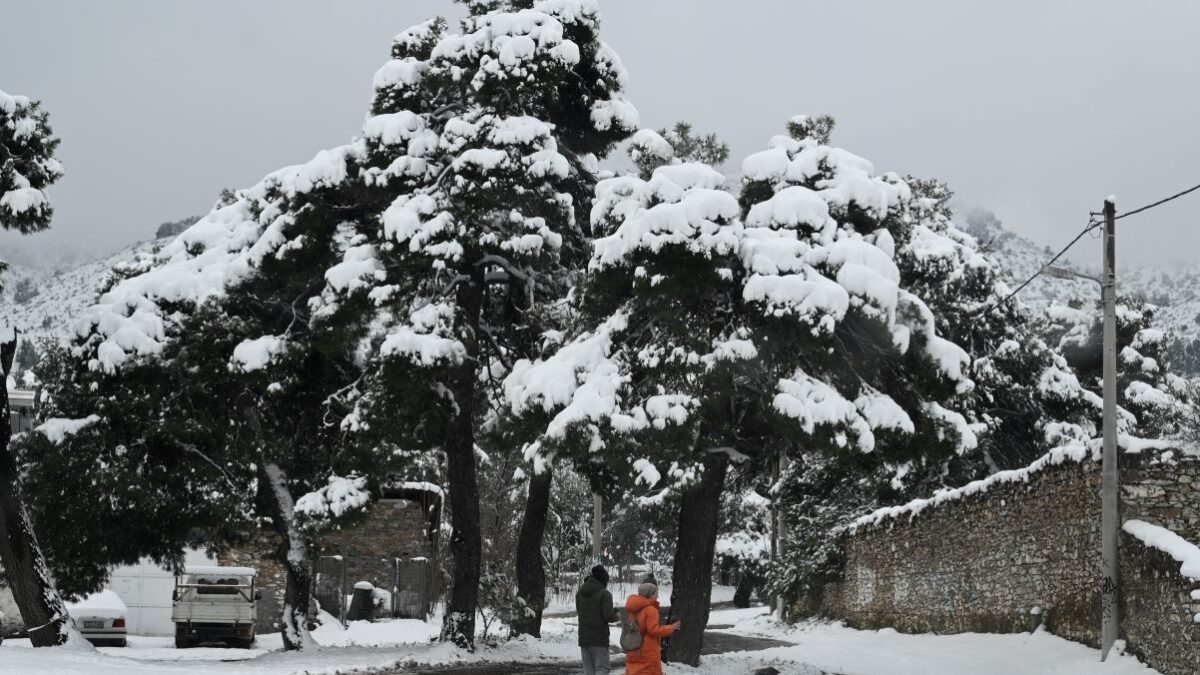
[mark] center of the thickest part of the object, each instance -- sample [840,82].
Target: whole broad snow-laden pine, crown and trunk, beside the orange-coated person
[713,339]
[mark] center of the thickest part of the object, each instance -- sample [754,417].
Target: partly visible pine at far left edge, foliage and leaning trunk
[27,169]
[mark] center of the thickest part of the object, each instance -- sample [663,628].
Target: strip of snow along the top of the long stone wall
[1076,452]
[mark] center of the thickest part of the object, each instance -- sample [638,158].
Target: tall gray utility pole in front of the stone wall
[1109,475]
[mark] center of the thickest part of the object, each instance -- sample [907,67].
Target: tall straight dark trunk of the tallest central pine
[466,547]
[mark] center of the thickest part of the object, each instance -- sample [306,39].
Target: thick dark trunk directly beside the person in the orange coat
[693,580]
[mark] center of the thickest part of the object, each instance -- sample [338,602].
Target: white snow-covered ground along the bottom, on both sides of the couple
[819,647]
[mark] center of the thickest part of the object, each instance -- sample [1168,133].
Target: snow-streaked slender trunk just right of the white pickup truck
[296,553]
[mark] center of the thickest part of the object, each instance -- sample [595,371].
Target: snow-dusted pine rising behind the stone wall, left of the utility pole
[1018,416]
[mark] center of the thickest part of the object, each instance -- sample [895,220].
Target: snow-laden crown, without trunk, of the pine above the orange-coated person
[814,261]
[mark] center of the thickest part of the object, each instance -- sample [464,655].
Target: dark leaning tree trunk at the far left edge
[41,608]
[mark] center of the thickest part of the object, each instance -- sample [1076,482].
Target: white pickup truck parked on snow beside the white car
[215,605]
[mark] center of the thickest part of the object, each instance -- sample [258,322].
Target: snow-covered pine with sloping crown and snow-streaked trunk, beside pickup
[245,310]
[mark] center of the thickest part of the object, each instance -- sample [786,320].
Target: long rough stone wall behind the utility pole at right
[1023,549]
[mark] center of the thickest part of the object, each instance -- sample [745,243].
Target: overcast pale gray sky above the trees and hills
[1035,110]
